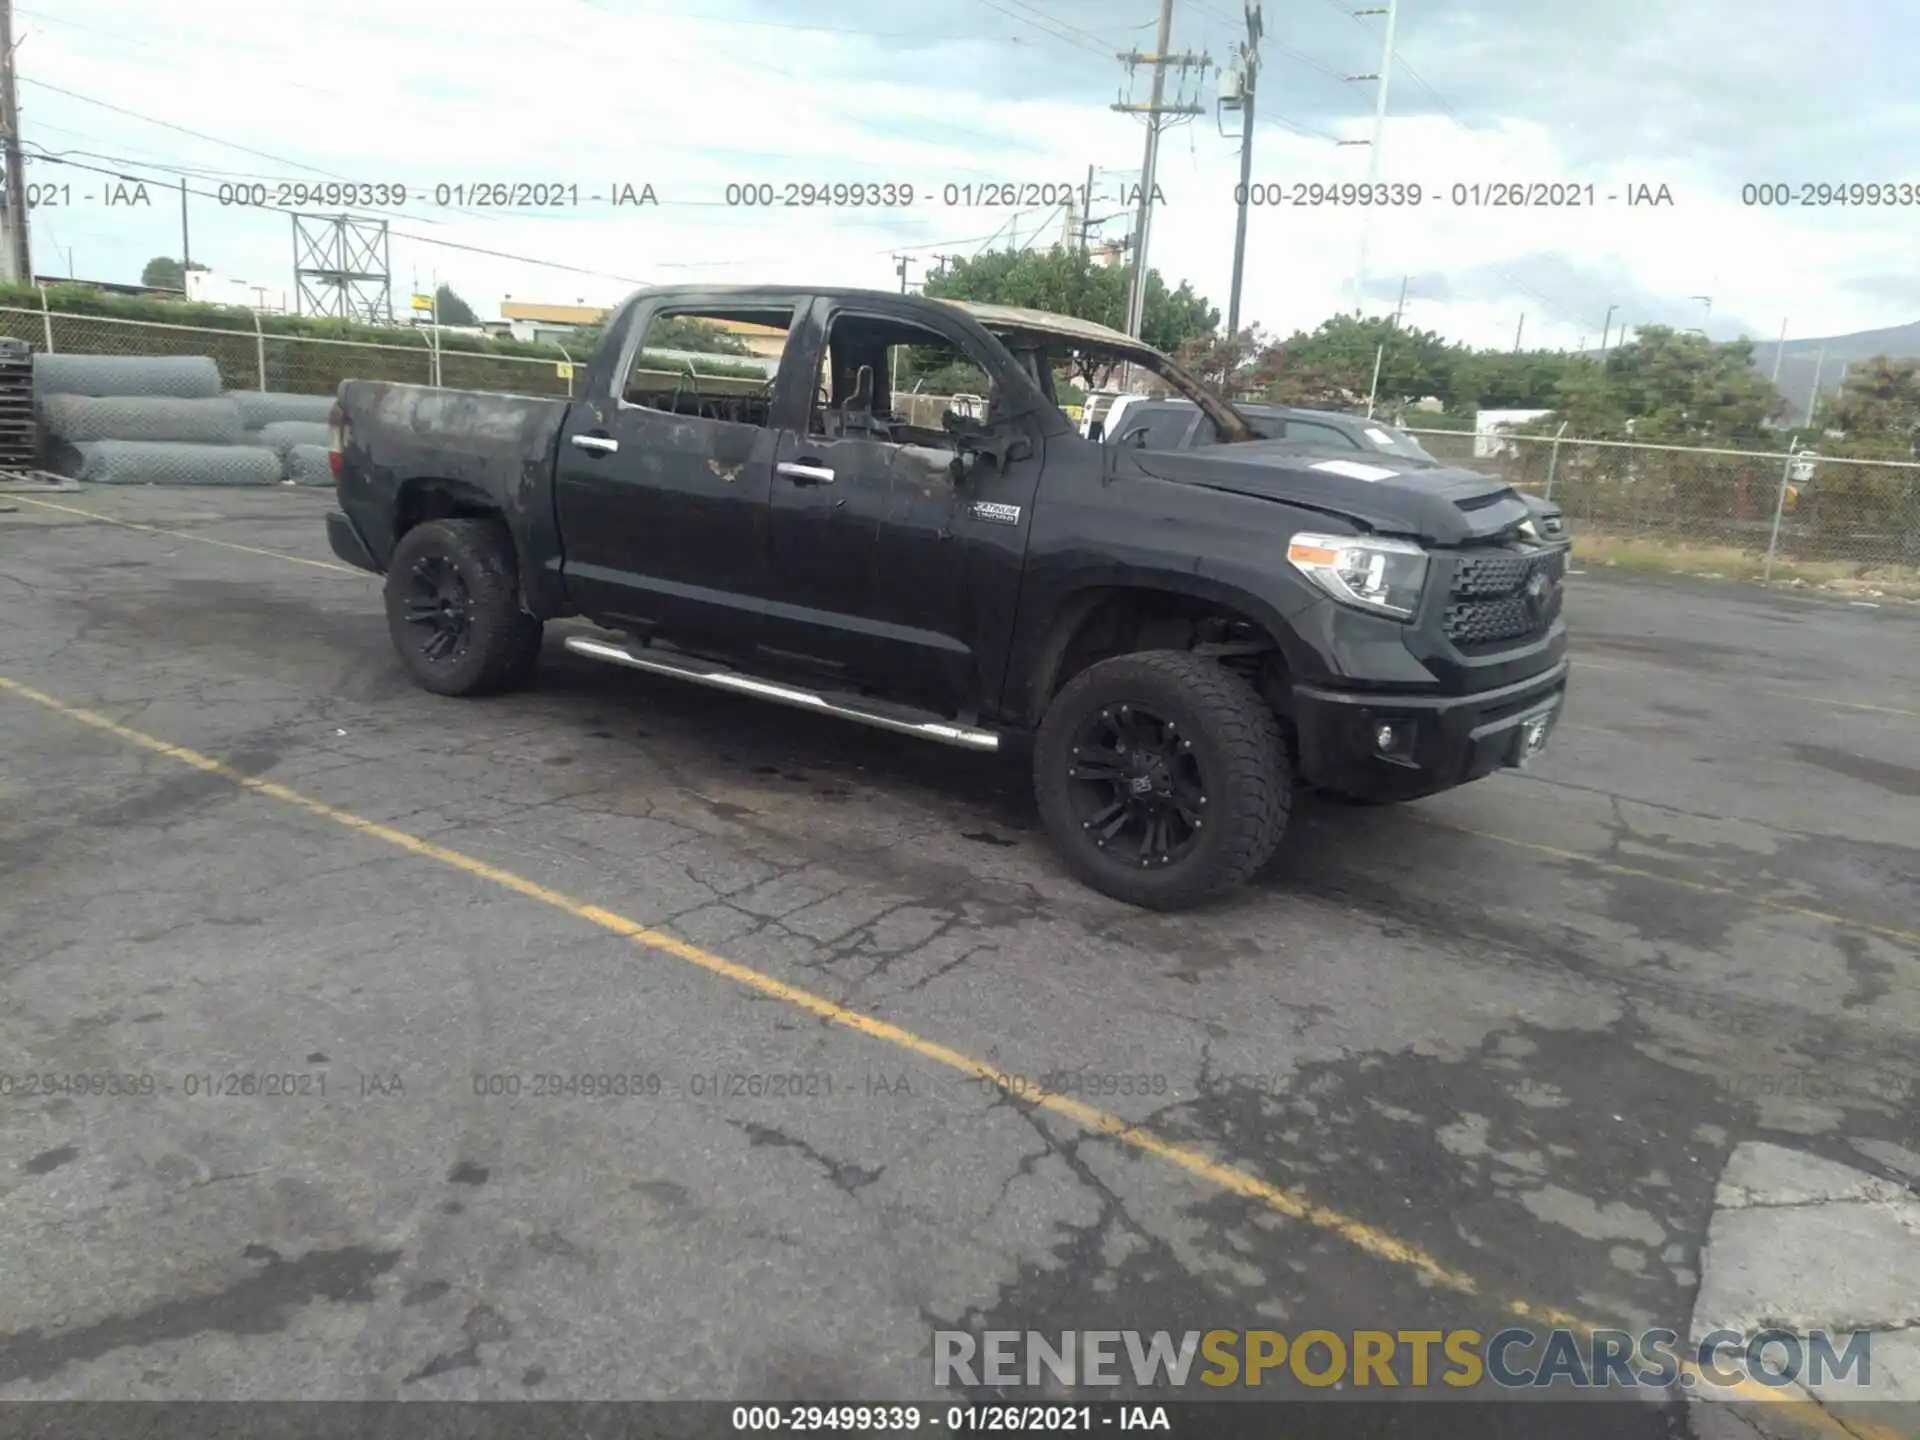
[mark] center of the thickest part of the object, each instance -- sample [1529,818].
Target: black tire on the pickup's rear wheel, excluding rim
[502,640]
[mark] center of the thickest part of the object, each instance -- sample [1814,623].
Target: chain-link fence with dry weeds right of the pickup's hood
[1802,508]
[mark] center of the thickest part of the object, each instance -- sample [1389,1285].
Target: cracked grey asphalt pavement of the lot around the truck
[1518,1028]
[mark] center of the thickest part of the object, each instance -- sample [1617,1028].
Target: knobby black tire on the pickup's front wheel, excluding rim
[1236,742]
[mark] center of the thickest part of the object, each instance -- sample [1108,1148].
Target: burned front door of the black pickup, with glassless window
[888,565]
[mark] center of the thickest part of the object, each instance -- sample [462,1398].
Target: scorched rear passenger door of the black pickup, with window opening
[663,477]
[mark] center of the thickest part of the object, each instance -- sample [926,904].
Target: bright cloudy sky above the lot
[700,95]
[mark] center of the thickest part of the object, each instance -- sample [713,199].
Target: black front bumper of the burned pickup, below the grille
[1439,740]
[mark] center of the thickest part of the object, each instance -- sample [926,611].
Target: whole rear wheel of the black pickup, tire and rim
[454,610]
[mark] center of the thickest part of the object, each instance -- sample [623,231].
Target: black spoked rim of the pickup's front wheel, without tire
[1138,786]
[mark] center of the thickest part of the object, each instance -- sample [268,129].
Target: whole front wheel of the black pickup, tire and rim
[1163,779]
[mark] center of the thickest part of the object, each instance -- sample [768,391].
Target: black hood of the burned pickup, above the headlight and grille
[1433,504]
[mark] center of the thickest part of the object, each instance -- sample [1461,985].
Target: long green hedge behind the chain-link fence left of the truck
[262,360]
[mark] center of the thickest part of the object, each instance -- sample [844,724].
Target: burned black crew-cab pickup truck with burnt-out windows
[1174,640]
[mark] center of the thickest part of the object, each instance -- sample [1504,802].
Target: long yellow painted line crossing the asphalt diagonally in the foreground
[1291,1205]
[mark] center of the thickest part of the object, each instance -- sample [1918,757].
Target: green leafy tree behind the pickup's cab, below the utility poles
[1068,283]
